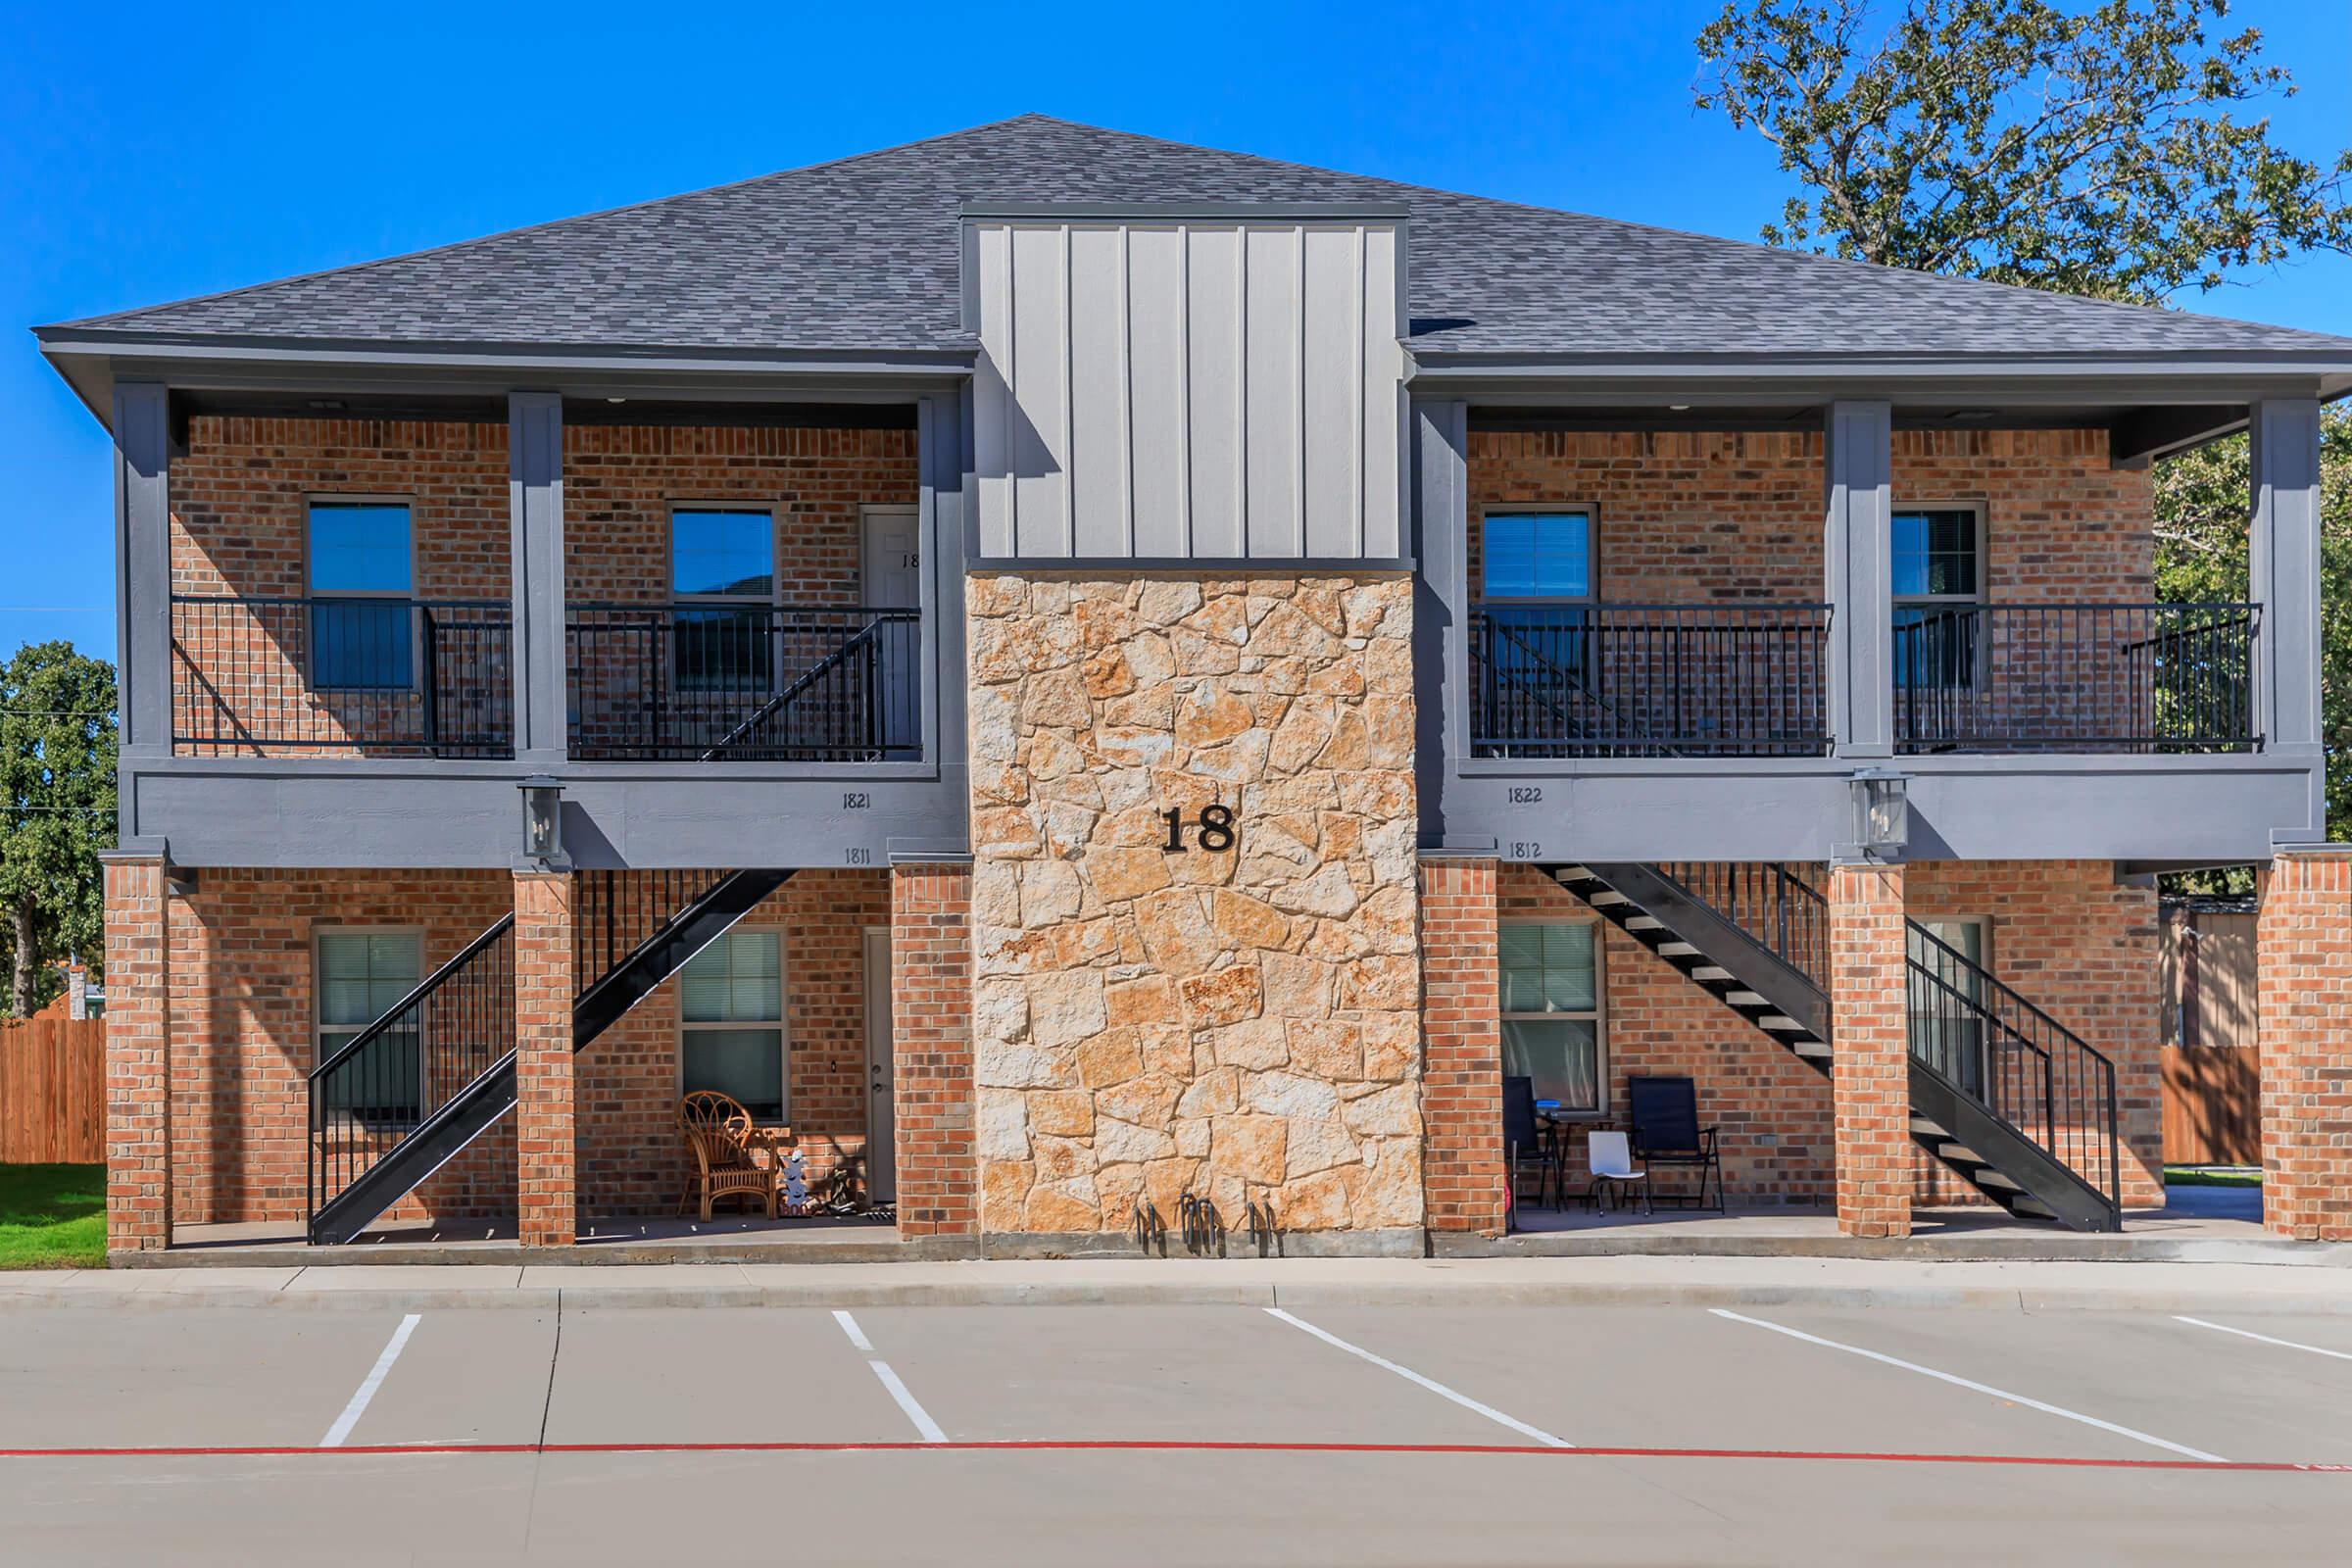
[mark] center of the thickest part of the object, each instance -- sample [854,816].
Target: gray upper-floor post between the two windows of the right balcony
[1859,589]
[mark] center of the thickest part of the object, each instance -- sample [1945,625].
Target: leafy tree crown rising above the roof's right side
[2010,140]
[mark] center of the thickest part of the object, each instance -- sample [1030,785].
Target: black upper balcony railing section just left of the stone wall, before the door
[744,683]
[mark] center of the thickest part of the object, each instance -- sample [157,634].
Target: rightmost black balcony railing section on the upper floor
[2076,678]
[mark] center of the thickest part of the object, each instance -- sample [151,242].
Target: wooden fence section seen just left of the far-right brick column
[2212,1064]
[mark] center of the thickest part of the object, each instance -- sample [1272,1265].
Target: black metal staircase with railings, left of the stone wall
[413,1090]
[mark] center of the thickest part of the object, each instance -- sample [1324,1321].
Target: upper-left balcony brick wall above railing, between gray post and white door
[622,481]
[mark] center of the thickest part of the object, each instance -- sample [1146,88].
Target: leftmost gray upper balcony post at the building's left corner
[145,570]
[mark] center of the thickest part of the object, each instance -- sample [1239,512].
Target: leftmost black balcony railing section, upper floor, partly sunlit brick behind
[323,676]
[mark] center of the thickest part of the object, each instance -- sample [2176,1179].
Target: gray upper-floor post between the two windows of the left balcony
[535,453]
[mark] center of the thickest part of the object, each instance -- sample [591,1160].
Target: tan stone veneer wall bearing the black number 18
[1154,1021]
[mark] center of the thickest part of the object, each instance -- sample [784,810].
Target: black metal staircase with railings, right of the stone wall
[2005,1097]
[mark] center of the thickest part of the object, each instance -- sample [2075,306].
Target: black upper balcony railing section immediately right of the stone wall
[1650,681]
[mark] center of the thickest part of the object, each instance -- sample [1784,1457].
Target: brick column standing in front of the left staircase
[547,1195]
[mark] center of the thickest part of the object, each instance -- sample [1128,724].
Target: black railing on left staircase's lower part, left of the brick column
[403,1071]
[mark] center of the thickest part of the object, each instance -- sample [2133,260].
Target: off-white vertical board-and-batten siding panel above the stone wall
[1189,387]
